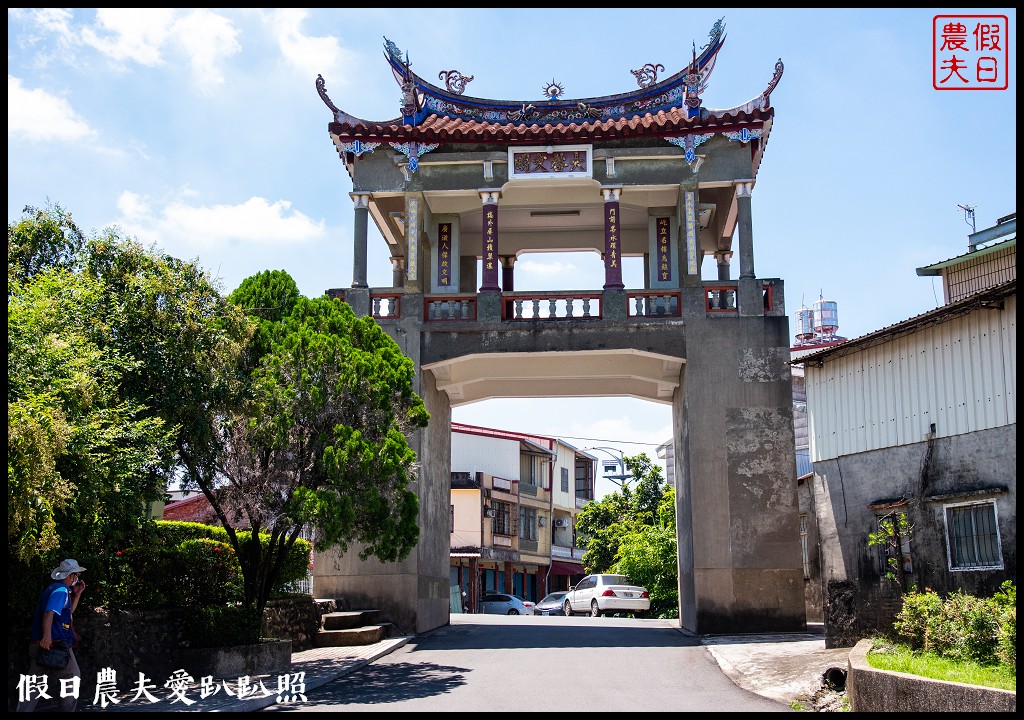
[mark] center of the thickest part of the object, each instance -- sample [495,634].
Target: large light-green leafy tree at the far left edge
[88,451]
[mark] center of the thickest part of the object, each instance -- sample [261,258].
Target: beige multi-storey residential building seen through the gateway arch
[515,501]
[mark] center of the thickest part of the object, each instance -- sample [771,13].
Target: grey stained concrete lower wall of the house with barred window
[859,602]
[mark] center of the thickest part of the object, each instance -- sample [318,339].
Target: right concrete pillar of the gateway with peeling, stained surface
[747,572]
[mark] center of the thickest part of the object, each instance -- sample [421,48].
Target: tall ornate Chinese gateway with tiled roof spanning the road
[460,188]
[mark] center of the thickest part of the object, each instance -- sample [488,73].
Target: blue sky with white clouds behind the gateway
[201,132]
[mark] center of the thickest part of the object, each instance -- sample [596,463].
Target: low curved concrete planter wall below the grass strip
[872,691]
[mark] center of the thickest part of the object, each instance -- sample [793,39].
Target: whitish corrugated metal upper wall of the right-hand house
[960,375]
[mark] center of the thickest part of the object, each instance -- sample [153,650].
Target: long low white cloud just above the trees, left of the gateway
[180,226]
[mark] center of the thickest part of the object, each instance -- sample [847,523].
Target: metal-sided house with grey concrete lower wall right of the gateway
[920,418]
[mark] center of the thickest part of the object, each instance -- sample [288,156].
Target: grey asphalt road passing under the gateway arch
[535,664]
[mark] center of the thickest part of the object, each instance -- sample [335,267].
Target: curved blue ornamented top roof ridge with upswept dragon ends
[421,99]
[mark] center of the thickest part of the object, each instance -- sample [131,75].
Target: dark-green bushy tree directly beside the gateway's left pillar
[319,440]
